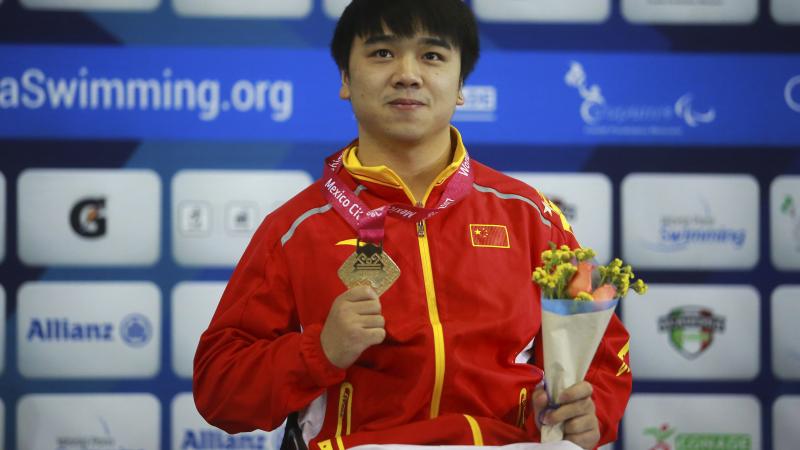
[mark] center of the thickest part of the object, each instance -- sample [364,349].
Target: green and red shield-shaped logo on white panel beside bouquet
[691,329]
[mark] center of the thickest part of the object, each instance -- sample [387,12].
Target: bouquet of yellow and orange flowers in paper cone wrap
[578,300]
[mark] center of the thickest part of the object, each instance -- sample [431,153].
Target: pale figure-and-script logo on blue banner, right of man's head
[601,117]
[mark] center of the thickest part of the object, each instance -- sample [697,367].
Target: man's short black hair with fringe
[451,20]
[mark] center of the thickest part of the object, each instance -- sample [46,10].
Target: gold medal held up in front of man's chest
[369,266]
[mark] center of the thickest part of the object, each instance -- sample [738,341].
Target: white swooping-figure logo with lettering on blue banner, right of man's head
[595,110]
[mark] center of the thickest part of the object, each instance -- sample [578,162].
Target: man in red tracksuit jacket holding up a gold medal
[392,301]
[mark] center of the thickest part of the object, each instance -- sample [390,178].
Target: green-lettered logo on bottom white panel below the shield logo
[668,438]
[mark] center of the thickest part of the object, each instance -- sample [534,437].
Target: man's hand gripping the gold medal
[354,324]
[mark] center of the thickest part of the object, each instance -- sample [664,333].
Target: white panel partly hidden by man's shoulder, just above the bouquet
[585,200]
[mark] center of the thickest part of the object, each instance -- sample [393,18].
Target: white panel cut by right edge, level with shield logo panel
[785,332]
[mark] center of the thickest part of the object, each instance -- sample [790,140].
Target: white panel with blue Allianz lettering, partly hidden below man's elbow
[191,431]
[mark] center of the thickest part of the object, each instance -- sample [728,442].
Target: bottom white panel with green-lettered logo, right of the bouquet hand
[693,422]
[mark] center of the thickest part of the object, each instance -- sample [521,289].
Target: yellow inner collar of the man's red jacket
[386,177]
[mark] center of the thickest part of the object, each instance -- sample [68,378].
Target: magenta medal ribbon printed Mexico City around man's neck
[370,223]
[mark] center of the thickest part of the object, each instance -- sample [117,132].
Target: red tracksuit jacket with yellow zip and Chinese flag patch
[457,320]
